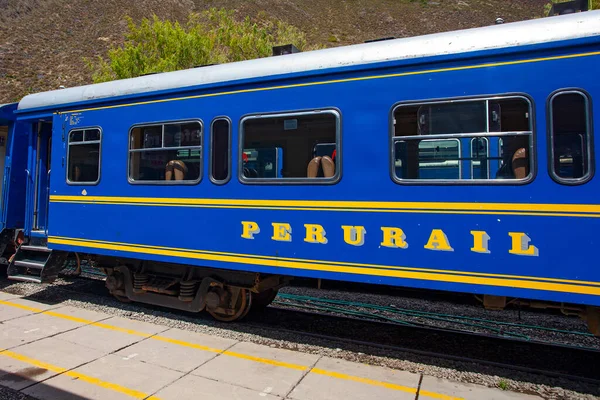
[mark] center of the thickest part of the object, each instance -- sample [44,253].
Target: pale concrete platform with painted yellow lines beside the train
[54,352]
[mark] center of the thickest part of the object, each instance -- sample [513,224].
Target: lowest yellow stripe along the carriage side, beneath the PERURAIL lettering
[381,270]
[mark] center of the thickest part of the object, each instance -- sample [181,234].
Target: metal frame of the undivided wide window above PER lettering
[292,181]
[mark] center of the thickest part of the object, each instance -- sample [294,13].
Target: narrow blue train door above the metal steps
[38,182]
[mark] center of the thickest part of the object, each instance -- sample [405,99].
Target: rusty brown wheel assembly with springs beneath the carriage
[227,295]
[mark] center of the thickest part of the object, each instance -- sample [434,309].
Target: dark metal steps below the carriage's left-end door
[36,264]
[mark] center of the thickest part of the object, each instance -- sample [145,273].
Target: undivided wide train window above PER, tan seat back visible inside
[299,147]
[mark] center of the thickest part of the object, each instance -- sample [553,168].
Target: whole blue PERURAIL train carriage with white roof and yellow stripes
[461,161]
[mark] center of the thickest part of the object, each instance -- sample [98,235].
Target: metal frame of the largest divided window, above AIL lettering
[468,182]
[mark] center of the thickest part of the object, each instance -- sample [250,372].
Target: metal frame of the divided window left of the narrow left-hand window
[169,122]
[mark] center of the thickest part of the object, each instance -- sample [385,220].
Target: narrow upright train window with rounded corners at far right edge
[571,160]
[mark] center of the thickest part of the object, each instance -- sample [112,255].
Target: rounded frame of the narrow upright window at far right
[589,136]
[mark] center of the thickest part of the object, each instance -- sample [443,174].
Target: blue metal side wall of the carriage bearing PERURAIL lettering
[208,235]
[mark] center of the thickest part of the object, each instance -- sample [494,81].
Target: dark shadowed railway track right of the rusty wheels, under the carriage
[560,361]
